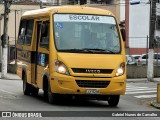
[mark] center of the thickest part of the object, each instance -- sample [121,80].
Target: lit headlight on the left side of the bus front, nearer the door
[60,67]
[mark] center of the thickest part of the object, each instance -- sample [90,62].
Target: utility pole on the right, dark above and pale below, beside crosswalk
[150,70]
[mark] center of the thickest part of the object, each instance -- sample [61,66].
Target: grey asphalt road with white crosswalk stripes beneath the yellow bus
[137,98]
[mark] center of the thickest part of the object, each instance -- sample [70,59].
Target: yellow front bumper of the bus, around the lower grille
[63,84]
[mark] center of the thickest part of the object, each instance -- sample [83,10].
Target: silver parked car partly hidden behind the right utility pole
[143,59]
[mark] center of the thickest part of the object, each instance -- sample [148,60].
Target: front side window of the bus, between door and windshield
[44,41]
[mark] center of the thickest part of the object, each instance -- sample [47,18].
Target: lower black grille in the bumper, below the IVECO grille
[92,83]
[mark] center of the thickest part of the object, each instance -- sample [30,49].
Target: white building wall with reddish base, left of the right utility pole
[139,15]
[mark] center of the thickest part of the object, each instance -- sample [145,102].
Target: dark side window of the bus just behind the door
[29,30]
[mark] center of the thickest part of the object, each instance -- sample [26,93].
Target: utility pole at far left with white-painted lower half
[5,38]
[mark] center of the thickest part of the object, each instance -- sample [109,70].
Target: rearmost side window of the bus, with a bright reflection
[22,30]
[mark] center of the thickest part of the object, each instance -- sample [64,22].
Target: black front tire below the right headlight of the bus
[113,100]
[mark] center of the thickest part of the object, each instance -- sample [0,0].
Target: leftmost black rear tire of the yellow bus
[26,86]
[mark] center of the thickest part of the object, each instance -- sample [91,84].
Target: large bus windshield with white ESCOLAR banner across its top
[86,33]
